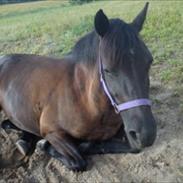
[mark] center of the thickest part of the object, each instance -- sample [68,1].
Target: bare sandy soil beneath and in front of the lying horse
[163,162]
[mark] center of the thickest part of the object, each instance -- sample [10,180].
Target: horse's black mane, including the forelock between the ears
[120,37]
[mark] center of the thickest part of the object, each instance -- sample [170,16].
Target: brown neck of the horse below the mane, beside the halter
[87,82]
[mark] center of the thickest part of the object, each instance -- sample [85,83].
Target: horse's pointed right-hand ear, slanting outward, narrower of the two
[139,20]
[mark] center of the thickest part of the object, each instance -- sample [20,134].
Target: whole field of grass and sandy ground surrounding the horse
[51,28]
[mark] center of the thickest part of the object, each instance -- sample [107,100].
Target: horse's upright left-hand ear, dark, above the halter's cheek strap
[101,23]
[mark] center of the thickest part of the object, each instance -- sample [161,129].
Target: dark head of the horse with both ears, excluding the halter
[125,66]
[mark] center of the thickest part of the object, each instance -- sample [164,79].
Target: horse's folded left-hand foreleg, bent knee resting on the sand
[62,148]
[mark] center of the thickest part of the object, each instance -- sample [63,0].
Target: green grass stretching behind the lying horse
[52,28]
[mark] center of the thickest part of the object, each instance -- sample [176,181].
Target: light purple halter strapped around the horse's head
[123,106]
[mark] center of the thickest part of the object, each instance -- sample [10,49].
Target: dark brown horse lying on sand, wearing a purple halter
[102,86]
